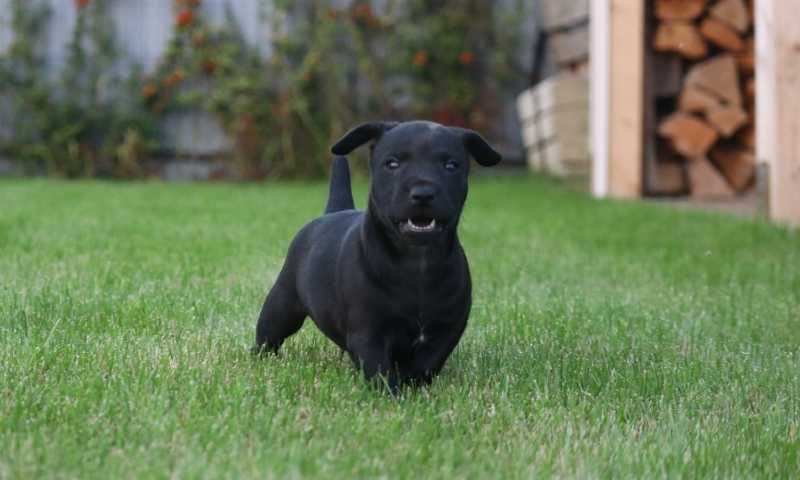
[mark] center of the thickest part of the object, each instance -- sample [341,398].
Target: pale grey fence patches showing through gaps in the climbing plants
[142,32]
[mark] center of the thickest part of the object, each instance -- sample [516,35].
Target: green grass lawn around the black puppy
[607,339]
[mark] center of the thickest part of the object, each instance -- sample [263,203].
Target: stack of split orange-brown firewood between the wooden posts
[703,88]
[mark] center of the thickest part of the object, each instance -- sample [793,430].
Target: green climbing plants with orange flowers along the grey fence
[447,60]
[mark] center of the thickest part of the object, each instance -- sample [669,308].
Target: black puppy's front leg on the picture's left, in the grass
[370,354]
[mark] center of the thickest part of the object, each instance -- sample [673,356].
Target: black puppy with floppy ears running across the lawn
[390,285]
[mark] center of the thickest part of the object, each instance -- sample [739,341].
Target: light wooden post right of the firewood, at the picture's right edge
[785,167]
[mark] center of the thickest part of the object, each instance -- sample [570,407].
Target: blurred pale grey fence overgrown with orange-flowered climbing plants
[250,89]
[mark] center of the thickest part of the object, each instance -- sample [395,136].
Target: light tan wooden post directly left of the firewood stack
[627,98]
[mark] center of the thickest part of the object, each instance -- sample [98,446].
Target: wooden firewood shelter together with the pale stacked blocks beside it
[693,99]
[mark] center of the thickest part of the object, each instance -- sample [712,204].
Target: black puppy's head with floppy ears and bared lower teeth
[419,174]
